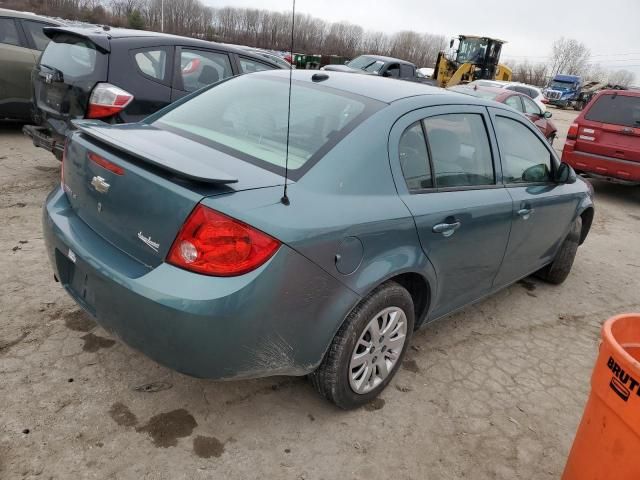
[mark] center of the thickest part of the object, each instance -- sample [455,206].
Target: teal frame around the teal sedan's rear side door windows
[408,119]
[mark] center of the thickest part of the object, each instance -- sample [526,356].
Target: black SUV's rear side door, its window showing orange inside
[196,68]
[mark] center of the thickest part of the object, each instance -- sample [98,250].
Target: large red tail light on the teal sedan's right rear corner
[213,244]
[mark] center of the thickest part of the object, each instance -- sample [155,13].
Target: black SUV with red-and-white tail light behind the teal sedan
[121,76]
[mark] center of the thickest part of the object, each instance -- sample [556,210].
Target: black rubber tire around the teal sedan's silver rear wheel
[331,379]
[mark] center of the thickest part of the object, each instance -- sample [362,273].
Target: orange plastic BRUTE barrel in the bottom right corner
[607,444]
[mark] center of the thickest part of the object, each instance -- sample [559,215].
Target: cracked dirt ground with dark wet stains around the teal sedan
[493,392]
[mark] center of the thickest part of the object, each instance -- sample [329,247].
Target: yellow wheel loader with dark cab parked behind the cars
[475,58]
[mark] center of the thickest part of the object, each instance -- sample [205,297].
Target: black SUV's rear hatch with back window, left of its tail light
[69,68]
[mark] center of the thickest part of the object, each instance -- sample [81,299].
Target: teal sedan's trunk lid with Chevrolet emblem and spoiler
[135,185]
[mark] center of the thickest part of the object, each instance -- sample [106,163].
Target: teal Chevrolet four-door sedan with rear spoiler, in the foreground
[404,203]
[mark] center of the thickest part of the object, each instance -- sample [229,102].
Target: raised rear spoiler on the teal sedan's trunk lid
[128,139]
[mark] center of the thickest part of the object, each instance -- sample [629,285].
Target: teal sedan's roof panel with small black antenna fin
[387,90]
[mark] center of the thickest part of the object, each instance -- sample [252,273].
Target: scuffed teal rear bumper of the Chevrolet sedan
[276,320]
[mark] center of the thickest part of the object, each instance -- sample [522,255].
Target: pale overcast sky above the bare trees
[610,28]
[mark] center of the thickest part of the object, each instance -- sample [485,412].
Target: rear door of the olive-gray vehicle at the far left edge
[16,60]
